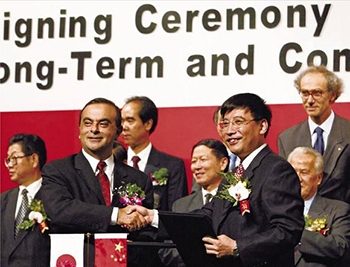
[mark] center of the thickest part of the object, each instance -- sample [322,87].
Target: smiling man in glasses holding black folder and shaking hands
[268,234]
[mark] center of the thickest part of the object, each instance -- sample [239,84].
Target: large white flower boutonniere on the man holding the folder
[237,190]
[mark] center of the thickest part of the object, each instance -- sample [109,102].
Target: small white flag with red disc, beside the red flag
[67,250]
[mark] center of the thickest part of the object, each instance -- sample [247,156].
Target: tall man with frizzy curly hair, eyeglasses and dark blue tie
[325,131]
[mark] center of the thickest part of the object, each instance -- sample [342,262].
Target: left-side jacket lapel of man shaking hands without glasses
[87,175]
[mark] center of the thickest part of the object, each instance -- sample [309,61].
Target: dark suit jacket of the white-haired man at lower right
[317,250]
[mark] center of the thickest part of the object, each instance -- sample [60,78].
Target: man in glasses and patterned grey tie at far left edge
[28,248]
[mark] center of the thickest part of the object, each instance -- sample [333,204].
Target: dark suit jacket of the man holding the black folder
[267,236]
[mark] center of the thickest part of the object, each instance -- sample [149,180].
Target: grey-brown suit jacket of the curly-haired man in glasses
[336,183]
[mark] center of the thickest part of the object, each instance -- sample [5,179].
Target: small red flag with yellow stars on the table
[110,250]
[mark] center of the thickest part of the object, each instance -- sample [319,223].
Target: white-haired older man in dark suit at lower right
[329,245]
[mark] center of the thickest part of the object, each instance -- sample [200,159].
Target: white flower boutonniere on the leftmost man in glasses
[37,215]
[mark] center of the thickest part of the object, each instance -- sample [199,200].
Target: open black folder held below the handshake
[187,230]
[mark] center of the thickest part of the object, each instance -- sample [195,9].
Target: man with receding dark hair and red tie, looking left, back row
[139,120]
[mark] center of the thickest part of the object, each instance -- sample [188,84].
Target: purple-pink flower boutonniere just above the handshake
[130,194]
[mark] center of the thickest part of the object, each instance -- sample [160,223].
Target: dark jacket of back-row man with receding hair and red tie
[176,186]
